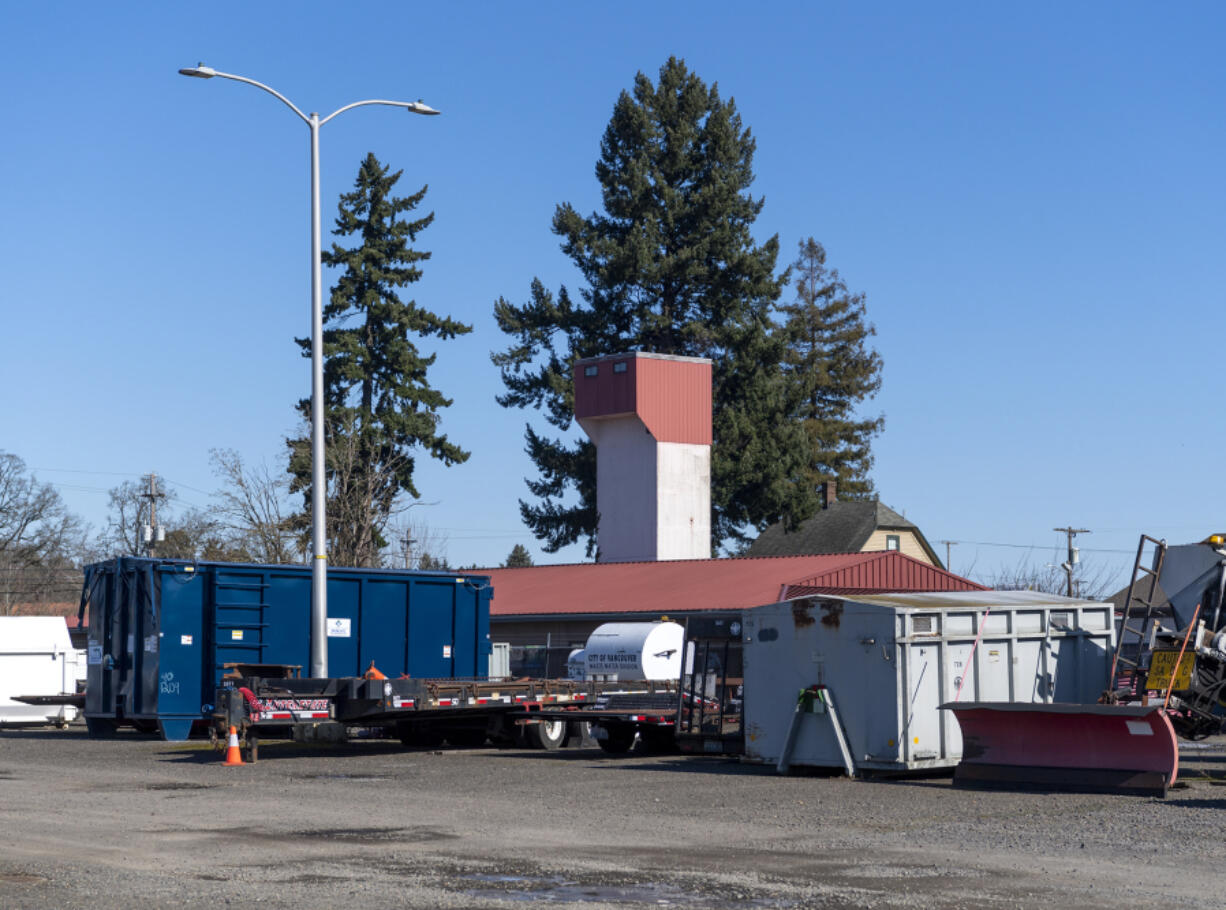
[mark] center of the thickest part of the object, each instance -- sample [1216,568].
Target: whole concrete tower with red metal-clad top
[650,419]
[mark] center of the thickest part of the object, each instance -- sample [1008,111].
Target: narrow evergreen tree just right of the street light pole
[381,408]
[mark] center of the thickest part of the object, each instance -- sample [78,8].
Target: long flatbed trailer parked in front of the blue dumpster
[424,713]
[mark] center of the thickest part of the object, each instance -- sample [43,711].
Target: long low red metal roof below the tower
[688,586]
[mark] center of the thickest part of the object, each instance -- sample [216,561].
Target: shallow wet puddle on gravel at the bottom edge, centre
[560,890]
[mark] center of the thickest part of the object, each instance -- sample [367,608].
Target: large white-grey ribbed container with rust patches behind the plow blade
[892,660]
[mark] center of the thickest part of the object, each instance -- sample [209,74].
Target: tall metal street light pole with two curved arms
[319,479]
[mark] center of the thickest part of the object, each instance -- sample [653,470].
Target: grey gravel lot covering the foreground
[137,822]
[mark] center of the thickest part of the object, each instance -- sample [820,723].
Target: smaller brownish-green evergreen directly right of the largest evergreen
[832,372]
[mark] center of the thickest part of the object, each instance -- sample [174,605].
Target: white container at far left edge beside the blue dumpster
[37,659]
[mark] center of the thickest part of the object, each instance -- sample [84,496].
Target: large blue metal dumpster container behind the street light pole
[162,631]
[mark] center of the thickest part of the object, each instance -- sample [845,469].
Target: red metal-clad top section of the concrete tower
[670,394]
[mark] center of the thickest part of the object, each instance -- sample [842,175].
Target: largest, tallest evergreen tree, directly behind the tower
[670,267]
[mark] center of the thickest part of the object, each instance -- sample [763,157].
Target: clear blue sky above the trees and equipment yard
[1030,196]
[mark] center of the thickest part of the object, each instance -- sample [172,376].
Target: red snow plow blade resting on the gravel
[1099,749]
